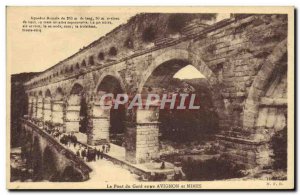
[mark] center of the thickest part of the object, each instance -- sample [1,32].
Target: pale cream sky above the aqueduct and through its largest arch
[37,51]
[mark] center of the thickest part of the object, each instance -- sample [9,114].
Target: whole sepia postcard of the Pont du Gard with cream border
[128,98]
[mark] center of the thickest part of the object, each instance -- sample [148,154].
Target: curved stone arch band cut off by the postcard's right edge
[260,83]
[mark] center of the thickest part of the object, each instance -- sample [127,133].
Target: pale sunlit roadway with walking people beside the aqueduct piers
[113,162]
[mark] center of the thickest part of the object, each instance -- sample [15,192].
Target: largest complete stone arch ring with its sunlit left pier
[143,141]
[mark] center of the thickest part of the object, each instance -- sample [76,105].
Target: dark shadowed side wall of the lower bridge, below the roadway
[49,159]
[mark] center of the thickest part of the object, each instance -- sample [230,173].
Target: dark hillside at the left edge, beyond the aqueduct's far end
[18,104]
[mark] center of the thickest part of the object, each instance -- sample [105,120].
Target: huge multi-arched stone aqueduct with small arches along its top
[243,59]
